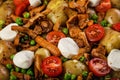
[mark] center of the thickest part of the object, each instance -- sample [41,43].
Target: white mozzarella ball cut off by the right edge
[114,59]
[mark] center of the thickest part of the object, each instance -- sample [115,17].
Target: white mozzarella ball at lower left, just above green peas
[23,59]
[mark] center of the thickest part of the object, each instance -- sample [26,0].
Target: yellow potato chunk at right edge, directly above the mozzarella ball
[111,40]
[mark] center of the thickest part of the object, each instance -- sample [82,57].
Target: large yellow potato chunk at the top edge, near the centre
[57,13]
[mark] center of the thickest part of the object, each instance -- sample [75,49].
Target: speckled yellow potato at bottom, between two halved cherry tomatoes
[74,67]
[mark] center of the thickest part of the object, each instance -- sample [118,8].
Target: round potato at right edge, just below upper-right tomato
[113,16]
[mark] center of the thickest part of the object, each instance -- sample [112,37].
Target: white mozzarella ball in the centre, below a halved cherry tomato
[68,47]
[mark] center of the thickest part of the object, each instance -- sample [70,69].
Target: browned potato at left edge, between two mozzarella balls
[6,49]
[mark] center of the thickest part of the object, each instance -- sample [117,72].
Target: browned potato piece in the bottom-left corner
[4,73]
